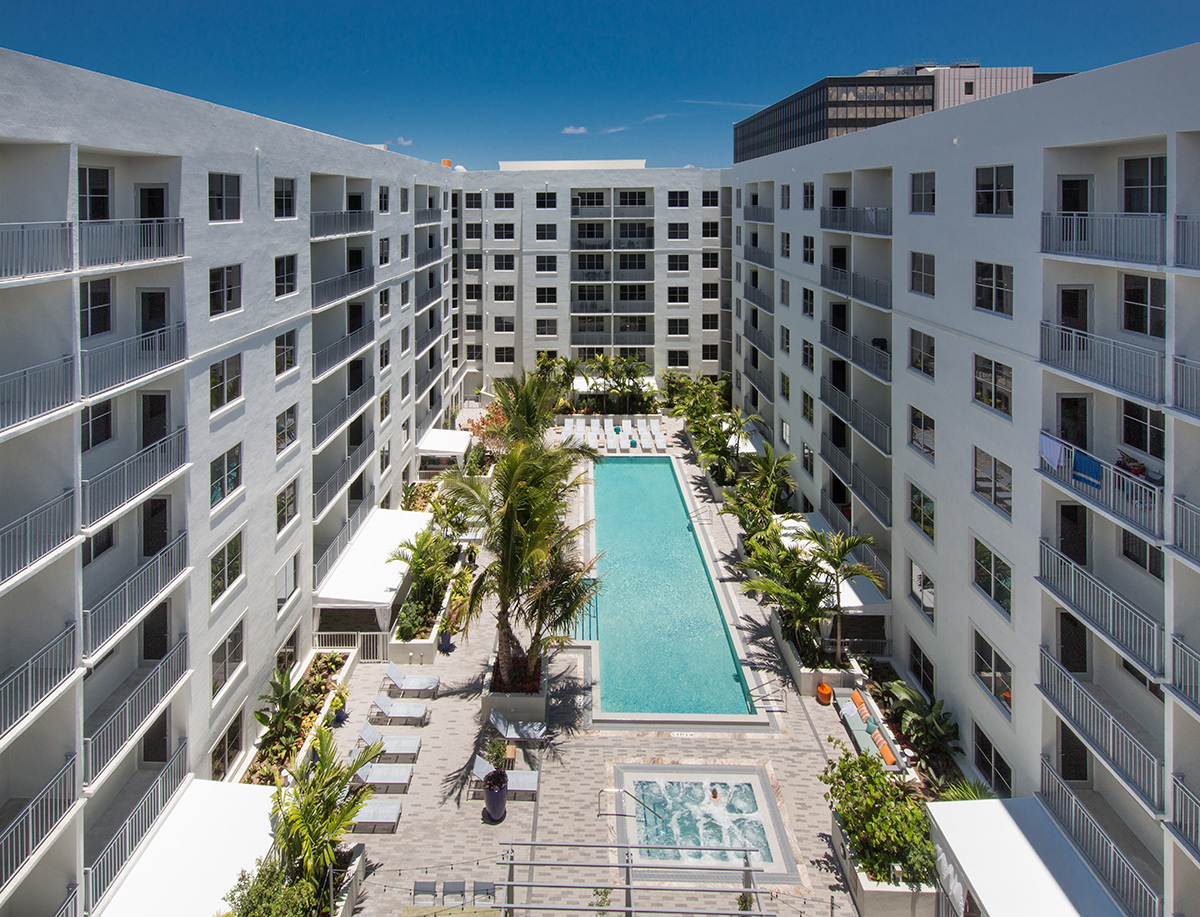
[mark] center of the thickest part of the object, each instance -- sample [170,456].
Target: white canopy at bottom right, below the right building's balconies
[1015,860]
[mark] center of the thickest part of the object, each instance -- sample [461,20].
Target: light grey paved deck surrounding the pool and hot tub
[442,834]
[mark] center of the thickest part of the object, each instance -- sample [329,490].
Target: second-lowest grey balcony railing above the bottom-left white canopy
[130,708]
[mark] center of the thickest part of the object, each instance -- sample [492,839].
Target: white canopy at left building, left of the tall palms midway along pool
[363,577]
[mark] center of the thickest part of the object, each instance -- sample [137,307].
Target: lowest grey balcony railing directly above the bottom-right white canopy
[1114,867]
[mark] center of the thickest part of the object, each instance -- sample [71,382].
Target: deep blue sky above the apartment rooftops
[477,83]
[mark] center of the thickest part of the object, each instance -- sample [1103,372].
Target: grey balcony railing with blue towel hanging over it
[1103,486]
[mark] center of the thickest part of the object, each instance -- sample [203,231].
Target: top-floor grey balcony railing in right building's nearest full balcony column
[1139,238]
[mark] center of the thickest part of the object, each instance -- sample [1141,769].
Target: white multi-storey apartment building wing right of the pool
[977,329]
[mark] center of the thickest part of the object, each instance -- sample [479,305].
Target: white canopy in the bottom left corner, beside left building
[213,832]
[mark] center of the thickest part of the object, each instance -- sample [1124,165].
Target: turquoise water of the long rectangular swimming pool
[664,648]
